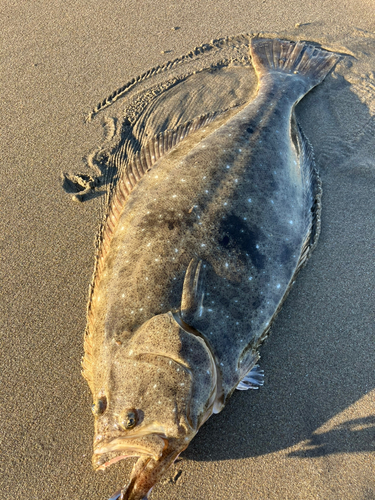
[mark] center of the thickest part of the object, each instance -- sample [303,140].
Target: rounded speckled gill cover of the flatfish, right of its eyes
[184,369]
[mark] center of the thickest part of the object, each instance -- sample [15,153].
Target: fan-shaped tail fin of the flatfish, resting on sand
[270,56]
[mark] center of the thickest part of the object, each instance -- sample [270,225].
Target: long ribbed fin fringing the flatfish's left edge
[128,178]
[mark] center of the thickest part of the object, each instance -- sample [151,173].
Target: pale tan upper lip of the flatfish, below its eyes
[108,452]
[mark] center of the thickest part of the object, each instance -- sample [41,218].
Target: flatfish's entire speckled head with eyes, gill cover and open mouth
[159,388]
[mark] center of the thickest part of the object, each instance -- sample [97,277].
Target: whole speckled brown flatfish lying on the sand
[206,230]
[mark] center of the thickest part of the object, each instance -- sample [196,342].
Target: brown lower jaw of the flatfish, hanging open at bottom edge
[147,471]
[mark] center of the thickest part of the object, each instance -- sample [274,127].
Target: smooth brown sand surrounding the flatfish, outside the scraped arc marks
[309,433]
